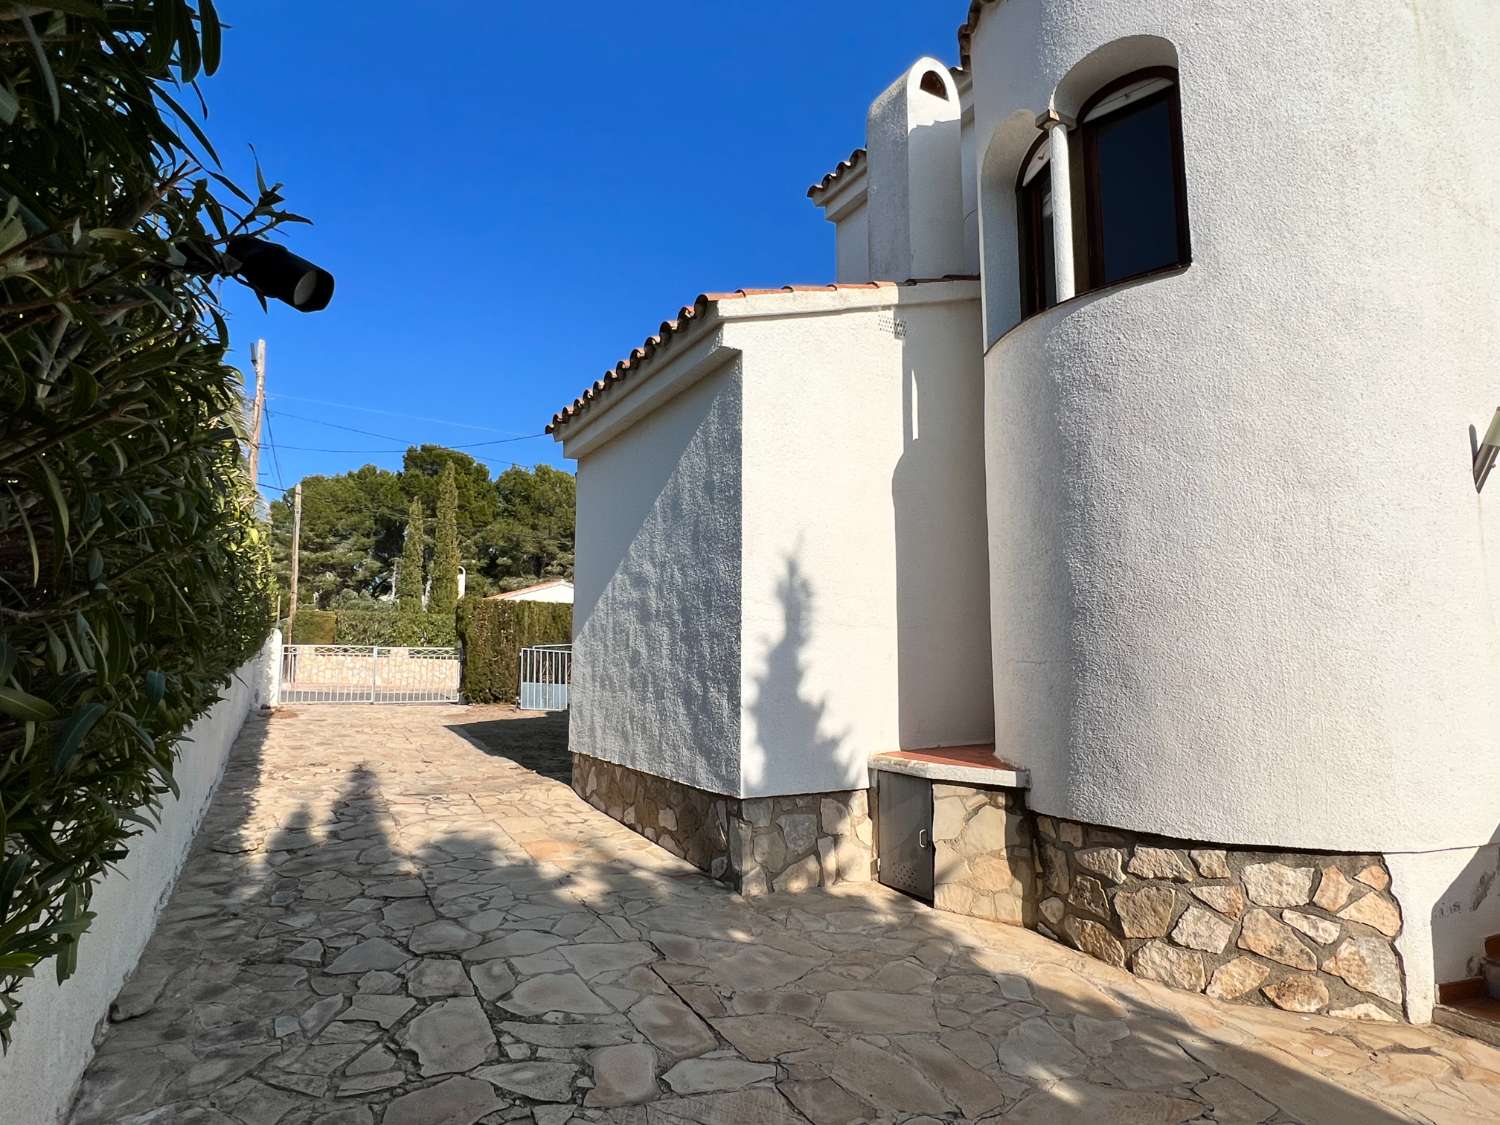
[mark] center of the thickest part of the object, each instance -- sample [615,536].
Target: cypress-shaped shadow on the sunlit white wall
[790,724]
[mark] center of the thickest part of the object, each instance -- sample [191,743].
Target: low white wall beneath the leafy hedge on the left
[56,1025]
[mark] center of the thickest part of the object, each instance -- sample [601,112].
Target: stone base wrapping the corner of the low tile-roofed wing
[757,845]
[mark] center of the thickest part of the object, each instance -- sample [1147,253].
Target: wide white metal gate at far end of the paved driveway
[368,674]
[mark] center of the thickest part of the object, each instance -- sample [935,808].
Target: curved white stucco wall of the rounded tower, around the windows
[1243,589]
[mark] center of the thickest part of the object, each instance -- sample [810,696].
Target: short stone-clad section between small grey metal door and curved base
[983,863]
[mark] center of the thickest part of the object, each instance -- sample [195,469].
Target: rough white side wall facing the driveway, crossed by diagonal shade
[656,613]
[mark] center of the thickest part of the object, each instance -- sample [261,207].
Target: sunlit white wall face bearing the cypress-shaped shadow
[865,545]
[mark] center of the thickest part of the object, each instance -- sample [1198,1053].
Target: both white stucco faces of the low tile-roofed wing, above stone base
[782,560]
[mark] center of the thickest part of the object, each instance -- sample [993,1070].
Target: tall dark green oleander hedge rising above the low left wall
[134,575]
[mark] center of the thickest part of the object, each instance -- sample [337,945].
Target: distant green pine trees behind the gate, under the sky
[512,530]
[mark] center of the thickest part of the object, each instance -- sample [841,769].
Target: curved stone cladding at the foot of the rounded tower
[1303,932]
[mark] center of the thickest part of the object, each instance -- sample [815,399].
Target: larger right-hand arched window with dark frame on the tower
[1135,187]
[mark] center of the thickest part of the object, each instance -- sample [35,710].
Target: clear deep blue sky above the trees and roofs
[512,196]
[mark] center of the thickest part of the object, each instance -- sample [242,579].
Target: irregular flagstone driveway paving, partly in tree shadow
[383,923]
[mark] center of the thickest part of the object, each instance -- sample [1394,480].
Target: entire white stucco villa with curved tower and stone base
[1102,551]
